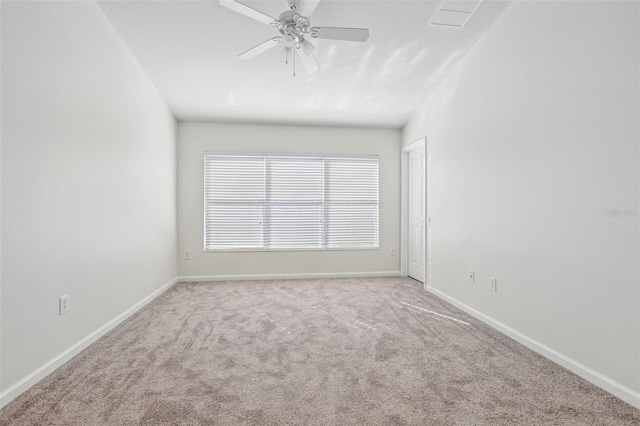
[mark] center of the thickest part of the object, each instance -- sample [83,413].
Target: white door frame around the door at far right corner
[404,207]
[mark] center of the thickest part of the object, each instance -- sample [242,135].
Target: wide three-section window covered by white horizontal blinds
[287,202]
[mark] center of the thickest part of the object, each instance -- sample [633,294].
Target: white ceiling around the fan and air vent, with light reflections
[189,51]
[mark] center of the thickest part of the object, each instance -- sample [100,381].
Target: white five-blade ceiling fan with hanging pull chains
[295,31]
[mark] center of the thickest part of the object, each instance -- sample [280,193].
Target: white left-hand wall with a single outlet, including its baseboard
[88,183]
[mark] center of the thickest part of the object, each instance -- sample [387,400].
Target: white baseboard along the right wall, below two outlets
[624,393]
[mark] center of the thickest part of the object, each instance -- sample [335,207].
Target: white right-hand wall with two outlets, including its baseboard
[530,141]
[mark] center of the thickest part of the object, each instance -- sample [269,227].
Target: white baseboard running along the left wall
[44,370]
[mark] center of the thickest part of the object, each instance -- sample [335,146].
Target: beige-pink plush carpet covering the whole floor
[313,352]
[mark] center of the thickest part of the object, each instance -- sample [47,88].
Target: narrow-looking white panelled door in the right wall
[416,214]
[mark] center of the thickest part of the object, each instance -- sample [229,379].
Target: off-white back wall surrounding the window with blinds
[196,138]
